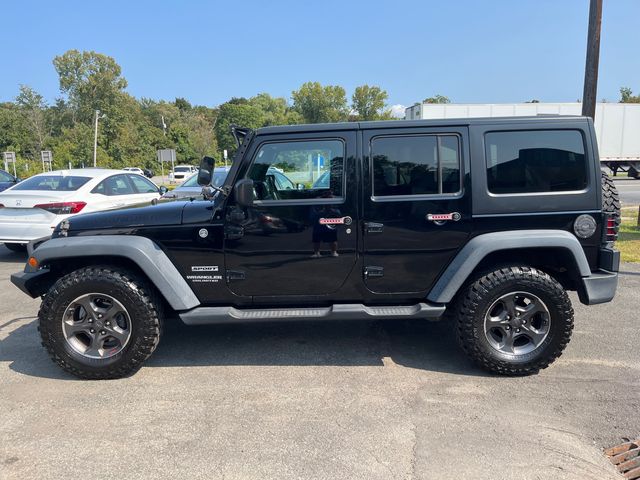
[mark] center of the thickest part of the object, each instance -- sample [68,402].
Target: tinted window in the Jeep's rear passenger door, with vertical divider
[415,165]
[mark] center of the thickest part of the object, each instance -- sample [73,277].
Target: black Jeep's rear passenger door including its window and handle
[416,205]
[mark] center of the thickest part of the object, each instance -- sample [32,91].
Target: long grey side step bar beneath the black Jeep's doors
[349,311]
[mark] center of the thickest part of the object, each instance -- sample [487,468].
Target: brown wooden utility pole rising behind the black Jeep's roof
[593,57]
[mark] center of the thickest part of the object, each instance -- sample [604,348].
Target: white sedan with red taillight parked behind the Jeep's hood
[31,209]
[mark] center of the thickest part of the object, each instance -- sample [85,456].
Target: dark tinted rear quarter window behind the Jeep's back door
[535,161]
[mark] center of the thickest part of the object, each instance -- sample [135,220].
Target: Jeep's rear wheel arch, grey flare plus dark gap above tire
[556,252]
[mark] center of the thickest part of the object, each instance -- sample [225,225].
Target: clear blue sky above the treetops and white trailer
[208,51]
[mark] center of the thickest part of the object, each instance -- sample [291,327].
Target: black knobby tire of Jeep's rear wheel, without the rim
[474,301]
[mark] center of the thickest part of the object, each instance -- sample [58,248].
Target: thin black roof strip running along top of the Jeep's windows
[320,127]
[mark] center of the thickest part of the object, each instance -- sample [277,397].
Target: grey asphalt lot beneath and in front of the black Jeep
[371,400]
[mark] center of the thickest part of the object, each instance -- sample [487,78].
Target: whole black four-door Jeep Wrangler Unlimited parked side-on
[486,221]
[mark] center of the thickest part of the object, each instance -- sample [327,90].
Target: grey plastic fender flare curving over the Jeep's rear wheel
[479,247]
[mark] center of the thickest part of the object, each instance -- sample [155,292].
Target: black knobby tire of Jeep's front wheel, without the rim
[141,302]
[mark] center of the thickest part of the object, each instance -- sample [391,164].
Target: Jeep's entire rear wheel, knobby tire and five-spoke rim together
[514,321]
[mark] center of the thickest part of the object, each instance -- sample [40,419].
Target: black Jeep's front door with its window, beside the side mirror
[300,236]
